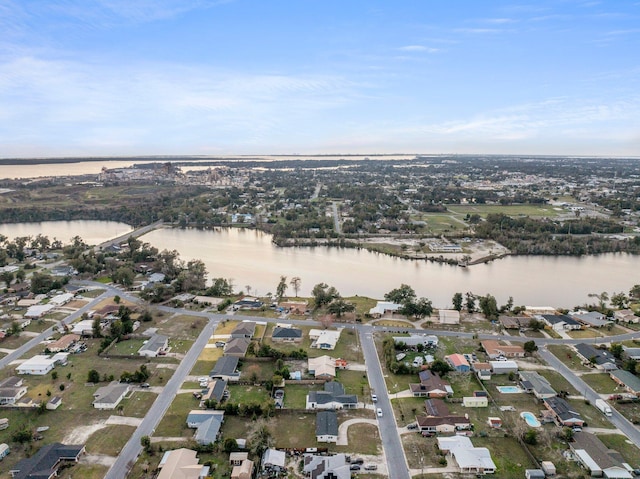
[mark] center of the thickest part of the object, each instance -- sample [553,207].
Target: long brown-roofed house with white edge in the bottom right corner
[599,460]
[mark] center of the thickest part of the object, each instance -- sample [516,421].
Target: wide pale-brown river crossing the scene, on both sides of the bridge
[250,259]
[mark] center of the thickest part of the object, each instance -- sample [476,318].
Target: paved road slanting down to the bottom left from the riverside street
[132,449]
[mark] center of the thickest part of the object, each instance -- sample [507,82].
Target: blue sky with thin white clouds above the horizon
[200,77]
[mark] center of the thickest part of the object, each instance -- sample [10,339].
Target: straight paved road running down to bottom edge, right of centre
[391,443]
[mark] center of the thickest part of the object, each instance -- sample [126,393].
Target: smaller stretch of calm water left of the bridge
[92,232]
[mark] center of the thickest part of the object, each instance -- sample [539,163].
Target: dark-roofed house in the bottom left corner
[46,462]
